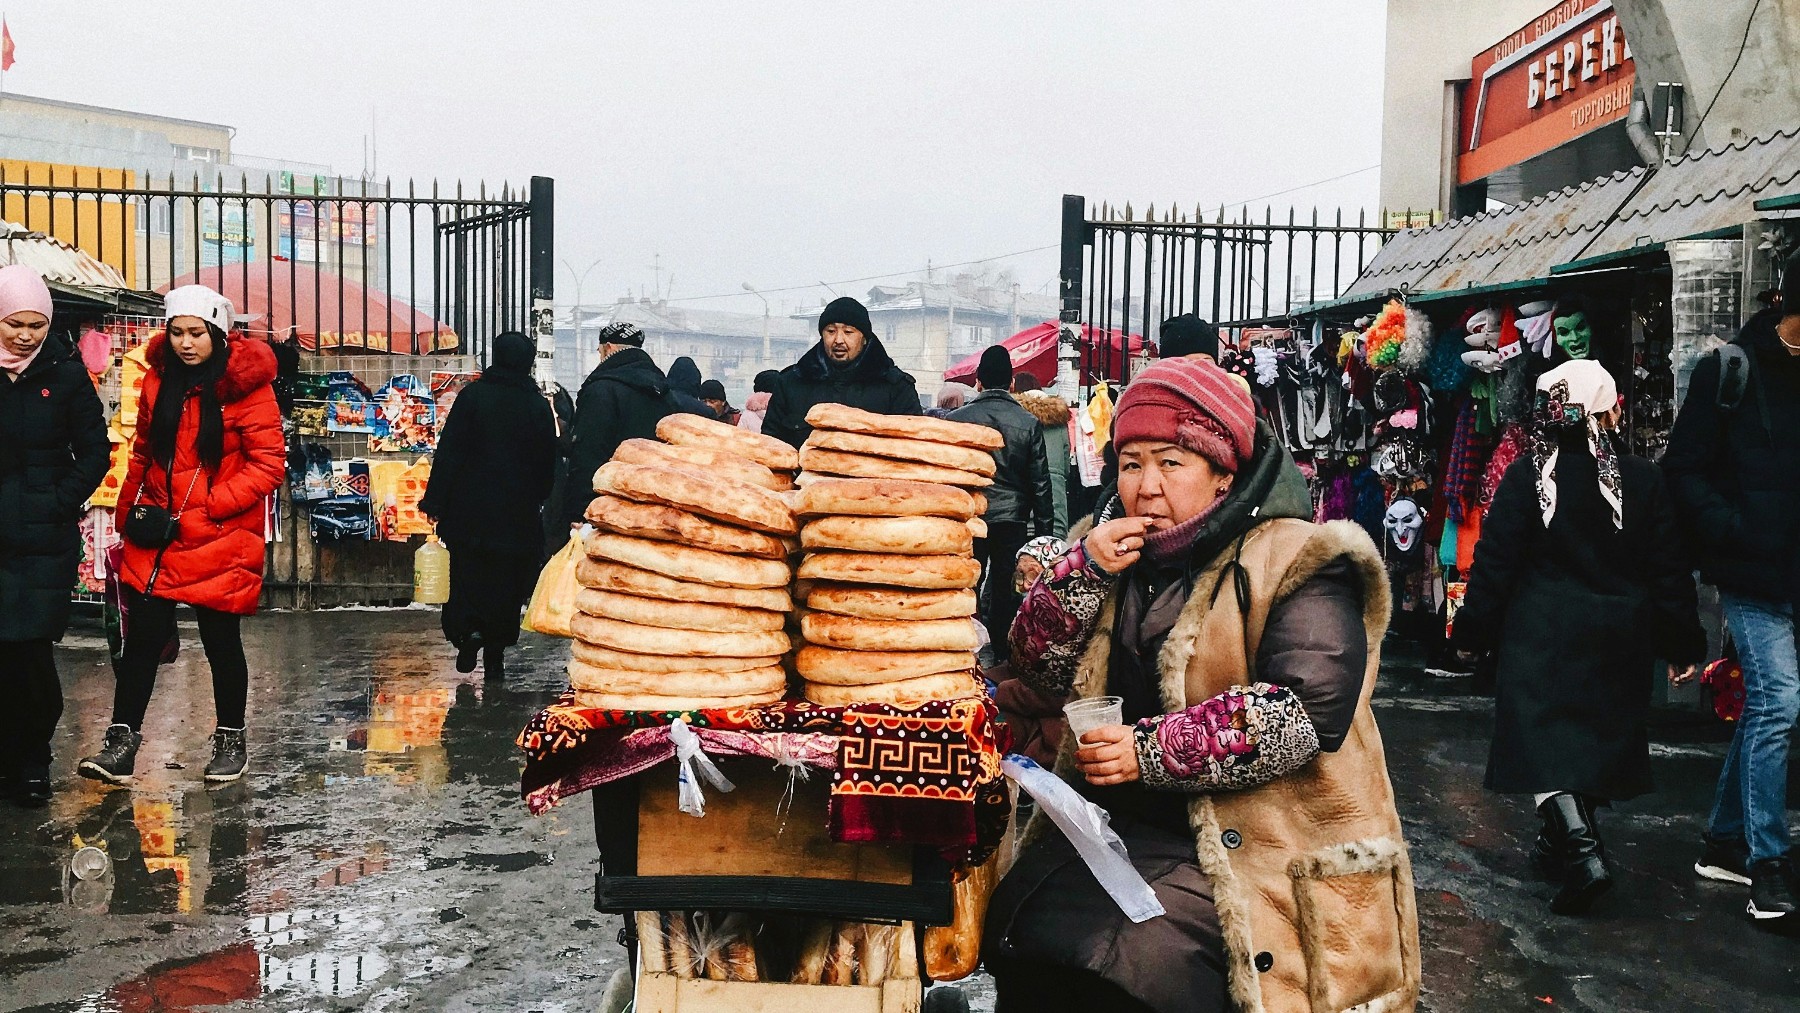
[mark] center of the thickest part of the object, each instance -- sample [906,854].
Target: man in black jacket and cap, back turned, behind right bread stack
[1020,503]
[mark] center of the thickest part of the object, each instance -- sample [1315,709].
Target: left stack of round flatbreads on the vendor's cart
[685,589]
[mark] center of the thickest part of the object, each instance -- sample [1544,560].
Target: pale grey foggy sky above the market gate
[764,141]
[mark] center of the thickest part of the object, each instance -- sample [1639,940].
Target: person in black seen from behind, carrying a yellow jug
[492,472]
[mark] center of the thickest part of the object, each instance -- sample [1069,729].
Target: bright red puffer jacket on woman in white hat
[217,560]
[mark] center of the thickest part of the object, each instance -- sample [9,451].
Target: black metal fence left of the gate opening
[343,265]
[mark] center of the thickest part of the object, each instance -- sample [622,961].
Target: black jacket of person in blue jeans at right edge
[1736,472]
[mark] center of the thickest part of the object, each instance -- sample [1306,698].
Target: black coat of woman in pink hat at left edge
[53,456]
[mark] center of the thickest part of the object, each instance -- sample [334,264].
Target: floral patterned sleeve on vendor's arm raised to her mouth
[1056,622]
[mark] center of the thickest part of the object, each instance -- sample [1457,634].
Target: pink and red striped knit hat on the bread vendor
[1192,404]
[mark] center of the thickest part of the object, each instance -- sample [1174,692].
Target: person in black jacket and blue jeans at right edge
[1734,471]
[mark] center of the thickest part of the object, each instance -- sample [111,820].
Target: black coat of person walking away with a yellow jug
[494,469]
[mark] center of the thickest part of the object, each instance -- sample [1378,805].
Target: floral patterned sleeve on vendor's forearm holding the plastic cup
[1237,740]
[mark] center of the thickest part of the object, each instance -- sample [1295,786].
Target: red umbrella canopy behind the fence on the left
[323,310]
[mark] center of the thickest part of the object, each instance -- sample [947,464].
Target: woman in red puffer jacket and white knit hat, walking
[210,454]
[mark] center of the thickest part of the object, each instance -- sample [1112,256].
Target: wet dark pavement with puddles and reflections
[379,856]
